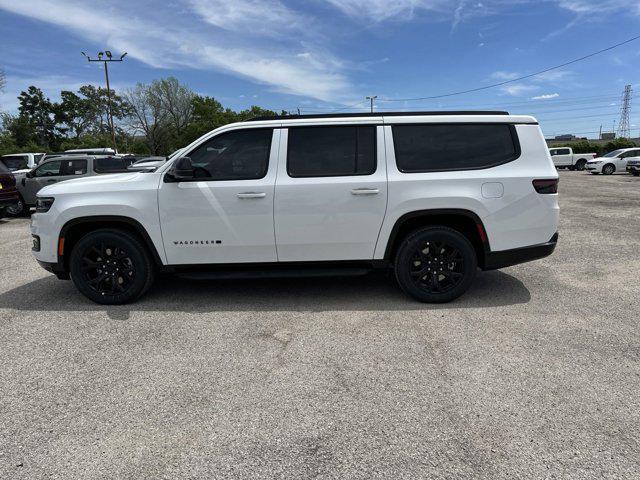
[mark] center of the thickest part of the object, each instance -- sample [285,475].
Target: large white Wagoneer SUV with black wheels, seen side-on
[432,195]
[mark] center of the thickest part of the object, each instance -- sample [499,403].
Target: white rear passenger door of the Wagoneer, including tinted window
[331,192]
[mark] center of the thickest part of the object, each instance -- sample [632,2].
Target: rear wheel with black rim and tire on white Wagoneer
[454,272]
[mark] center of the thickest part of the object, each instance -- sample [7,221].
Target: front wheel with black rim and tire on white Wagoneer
[111,267]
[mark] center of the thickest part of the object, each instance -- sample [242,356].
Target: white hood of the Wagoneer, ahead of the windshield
[97,183]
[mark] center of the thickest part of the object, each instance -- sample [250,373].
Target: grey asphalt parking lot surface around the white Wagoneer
[534,373]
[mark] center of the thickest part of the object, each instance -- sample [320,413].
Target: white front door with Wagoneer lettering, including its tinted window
[225,214]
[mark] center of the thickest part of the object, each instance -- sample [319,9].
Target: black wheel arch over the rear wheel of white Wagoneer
[466,222]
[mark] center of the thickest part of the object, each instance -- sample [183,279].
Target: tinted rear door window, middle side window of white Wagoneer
[331,151]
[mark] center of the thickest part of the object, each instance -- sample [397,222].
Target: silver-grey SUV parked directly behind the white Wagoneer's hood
[59,169]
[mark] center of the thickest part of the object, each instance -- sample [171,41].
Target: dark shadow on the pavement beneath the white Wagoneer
[373,292]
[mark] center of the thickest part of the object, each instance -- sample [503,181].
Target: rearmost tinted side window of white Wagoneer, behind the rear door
[431,148]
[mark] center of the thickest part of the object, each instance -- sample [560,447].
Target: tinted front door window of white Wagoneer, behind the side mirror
[235,155]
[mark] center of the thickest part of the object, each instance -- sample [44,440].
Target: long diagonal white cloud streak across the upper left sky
[183,43]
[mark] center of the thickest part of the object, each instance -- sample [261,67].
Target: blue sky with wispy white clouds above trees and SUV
[325,55]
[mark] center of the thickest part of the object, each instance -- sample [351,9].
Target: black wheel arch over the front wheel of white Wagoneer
[76,228]
